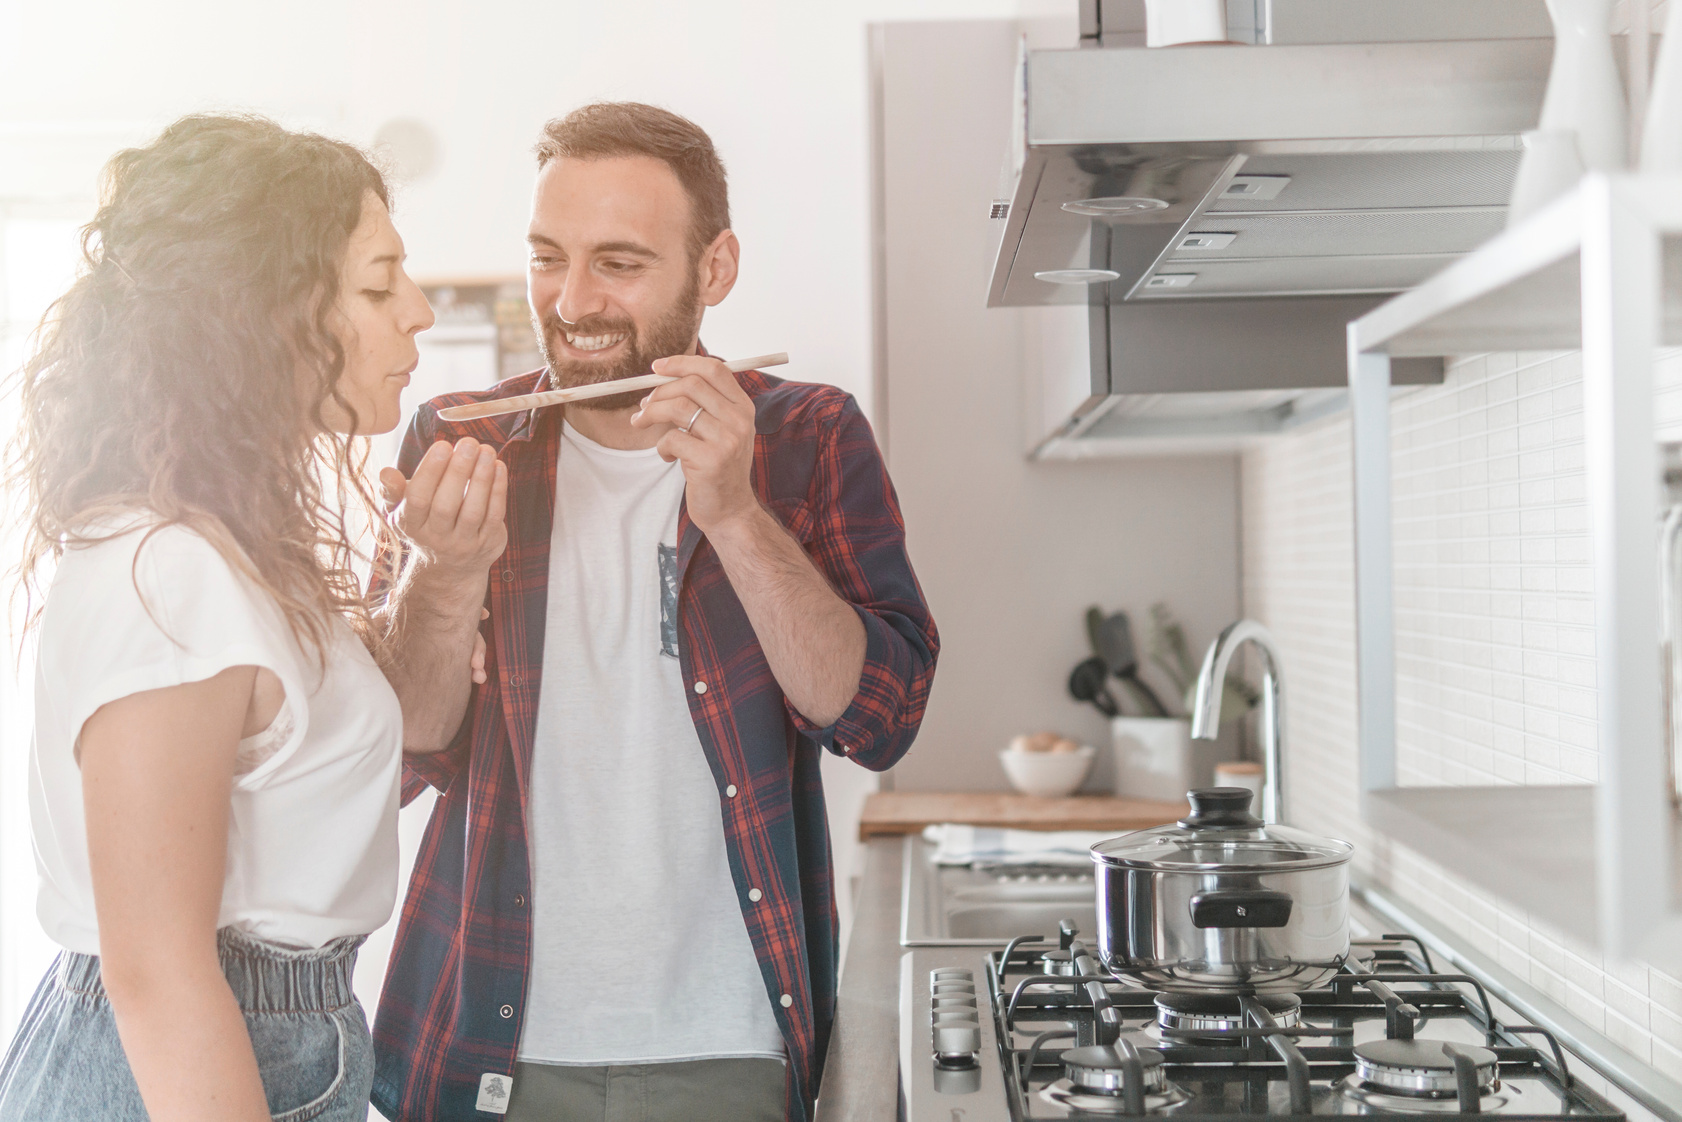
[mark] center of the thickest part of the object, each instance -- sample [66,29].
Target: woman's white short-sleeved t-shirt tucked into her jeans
[312,847]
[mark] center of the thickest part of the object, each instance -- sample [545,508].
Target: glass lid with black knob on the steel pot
[1222,835]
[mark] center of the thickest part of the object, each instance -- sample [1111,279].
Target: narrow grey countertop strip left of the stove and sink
[862,1072]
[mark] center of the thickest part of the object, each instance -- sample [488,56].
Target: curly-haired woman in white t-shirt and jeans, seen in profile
[216,761]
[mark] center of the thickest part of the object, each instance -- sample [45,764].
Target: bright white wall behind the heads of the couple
[780,87]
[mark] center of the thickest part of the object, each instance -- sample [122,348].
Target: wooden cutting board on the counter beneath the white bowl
[891,813]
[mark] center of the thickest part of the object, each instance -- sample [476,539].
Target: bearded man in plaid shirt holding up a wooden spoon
[623,906]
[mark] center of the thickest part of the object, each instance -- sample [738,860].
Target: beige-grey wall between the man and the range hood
[1010,553]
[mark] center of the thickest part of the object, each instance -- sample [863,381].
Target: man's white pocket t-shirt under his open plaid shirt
[625,822]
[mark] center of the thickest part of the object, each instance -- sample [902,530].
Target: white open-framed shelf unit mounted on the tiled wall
[1602,272]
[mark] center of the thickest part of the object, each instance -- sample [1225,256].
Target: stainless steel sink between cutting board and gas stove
[960,906]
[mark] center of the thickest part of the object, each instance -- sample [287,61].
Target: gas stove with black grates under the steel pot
[1037,1030]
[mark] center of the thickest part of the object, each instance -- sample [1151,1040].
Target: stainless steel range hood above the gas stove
[1296,184]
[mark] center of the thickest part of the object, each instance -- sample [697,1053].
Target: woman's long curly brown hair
[186,371]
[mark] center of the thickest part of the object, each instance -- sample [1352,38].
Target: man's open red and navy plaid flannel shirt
[455,992]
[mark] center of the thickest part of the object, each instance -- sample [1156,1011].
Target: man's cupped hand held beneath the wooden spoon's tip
[455,507]
